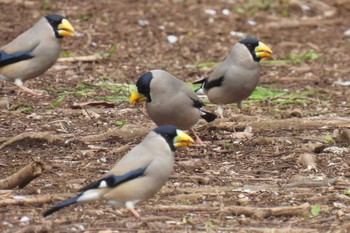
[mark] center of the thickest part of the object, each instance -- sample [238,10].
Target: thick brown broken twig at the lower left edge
[23,176]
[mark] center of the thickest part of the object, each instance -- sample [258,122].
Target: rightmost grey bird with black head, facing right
[237,76]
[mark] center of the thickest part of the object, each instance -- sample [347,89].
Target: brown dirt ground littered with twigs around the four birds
[250,177]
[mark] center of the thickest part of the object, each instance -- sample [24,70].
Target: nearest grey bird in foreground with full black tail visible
[137,176]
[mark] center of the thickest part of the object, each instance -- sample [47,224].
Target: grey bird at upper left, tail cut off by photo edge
[34,51]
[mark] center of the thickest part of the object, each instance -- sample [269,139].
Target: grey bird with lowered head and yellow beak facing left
[170,101]
